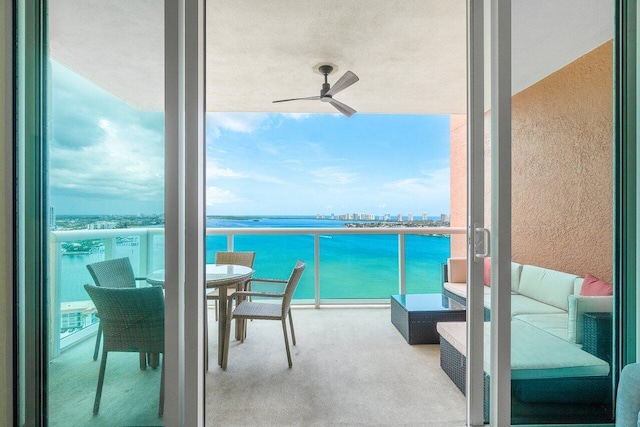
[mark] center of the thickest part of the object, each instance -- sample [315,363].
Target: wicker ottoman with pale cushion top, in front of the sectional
[546,387]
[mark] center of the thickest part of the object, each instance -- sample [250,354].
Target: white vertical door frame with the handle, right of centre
[500,242]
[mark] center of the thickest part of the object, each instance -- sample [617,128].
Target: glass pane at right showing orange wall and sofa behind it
[562,216]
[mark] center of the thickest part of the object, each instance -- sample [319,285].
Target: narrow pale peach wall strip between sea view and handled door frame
[458,165]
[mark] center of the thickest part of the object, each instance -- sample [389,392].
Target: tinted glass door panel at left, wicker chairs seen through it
[106,202]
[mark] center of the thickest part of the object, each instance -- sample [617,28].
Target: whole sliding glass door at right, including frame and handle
[541,213]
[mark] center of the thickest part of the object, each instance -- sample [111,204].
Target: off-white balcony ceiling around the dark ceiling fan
[409,54]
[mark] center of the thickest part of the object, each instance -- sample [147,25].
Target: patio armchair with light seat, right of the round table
[265,311]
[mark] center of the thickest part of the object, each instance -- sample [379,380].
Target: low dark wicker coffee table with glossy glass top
[416,316]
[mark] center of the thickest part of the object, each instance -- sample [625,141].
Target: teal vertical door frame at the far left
[30,220]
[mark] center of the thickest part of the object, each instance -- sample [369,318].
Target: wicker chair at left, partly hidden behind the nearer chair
[113,273]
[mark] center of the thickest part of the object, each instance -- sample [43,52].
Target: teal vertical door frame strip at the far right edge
[627,235]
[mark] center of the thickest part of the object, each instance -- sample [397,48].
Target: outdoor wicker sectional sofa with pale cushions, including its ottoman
[561,344]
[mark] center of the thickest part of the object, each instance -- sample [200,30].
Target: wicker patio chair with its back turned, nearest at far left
[132,321]
